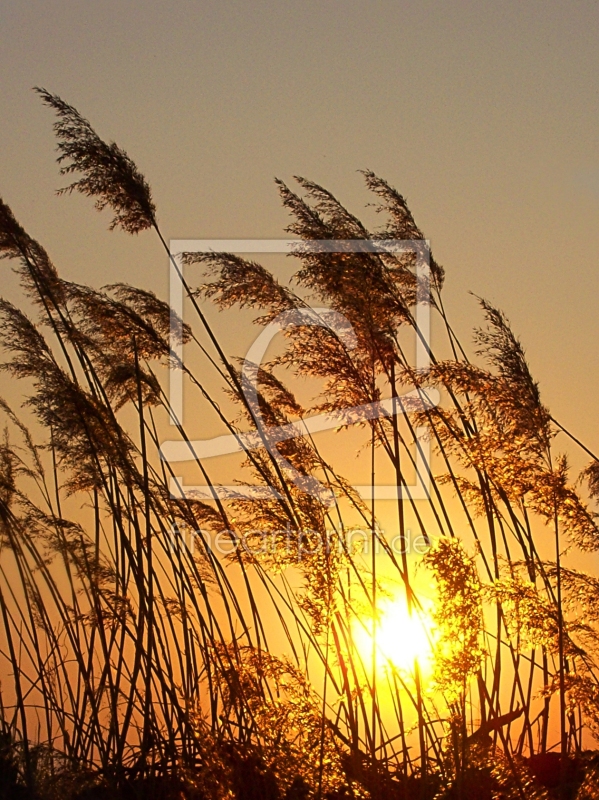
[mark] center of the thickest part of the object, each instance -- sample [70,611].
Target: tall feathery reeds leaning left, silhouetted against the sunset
[134,663]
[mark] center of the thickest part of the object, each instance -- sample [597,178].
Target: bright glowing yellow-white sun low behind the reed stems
[403,638]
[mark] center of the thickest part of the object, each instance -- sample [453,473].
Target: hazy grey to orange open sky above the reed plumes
[484,115]
